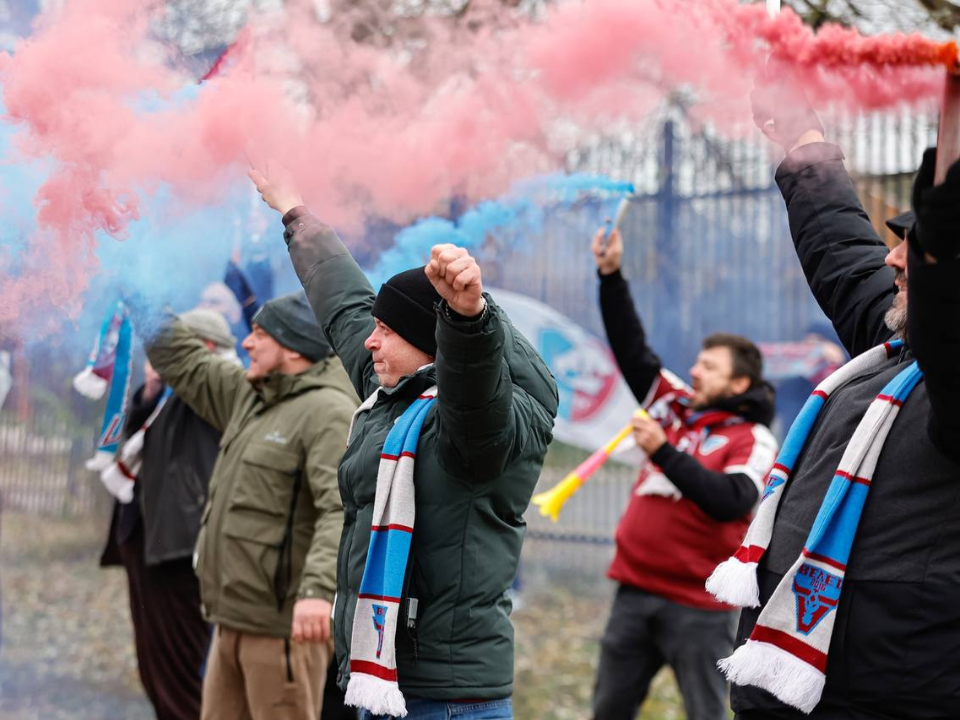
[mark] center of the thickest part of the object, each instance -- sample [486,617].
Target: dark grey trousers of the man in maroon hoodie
[646,632]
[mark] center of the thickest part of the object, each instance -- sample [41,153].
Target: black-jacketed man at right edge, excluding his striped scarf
[895,647]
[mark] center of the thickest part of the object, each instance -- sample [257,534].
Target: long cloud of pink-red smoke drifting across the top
[386,135]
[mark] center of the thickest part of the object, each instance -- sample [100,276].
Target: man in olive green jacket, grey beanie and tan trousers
[266,553]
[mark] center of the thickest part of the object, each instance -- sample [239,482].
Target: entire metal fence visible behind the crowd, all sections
[708,248]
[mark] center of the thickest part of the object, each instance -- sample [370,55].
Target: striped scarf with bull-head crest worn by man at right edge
[786,653]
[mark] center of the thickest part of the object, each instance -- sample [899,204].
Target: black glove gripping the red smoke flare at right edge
[937,230]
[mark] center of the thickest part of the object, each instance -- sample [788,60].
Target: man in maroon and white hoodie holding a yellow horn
[708,450]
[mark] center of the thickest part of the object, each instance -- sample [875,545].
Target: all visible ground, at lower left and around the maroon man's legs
[67,649]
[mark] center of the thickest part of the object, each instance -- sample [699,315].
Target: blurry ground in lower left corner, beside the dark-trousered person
[67,649]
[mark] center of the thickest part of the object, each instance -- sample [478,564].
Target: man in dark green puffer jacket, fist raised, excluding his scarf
[478,459]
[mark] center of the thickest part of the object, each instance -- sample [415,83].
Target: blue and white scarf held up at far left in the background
[109,365]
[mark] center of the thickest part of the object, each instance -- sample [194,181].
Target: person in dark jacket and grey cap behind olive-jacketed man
[153,535]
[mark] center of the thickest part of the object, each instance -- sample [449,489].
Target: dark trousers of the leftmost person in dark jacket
[170,634]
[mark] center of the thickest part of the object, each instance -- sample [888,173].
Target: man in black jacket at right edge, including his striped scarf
[850,575]
